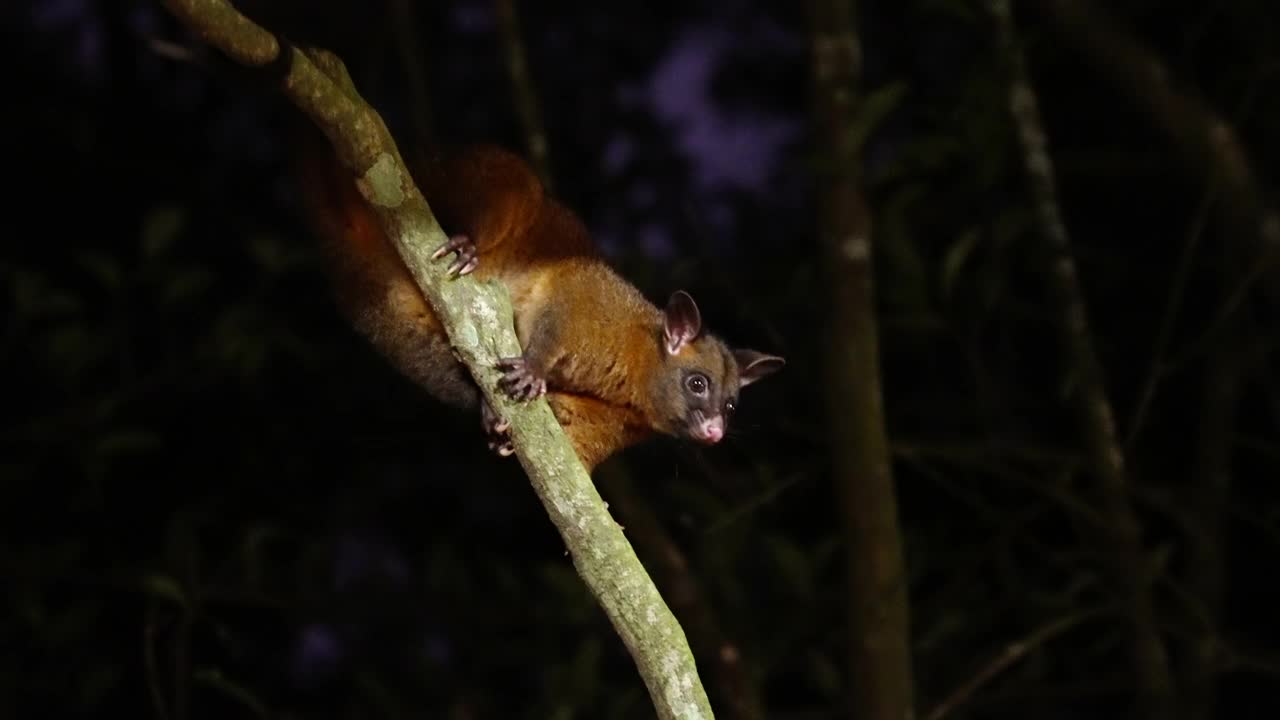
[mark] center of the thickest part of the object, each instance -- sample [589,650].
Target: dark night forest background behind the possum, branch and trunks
[217,502]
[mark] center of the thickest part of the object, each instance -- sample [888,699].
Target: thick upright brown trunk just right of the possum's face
[880,660]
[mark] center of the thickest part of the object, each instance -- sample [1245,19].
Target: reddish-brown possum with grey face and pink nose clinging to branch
[615,368]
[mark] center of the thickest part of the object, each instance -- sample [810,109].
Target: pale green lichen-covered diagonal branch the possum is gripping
[478,320]
